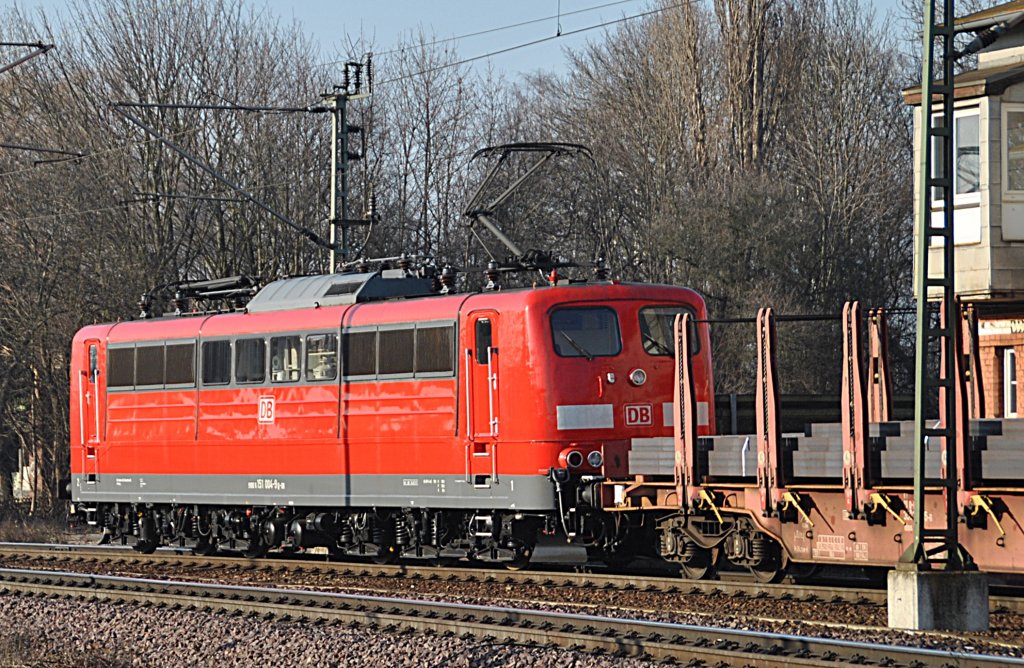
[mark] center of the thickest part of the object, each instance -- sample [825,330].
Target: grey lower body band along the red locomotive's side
[511,492]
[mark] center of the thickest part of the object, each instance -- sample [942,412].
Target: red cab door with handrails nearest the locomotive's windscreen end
[483,369]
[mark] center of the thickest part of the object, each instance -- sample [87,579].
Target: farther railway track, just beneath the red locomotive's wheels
[69,557]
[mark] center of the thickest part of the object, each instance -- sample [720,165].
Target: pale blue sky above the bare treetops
[388,21]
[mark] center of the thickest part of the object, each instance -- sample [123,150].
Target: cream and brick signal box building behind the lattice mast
[989,199]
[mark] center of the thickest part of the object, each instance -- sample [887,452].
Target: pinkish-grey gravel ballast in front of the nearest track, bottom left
[36,632]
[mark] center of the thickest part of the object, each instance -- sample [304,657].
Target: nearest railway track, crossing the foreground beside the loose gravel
[655,641]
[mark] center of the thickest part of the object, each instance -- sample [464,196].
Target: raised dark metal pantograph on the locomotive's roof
[484,214]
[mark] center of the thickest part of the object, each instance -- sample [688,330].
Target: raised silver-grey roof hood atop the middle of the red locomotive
[338,289]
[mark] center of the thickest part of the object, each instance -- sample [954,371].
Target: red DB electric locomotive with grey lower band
[370,414]
